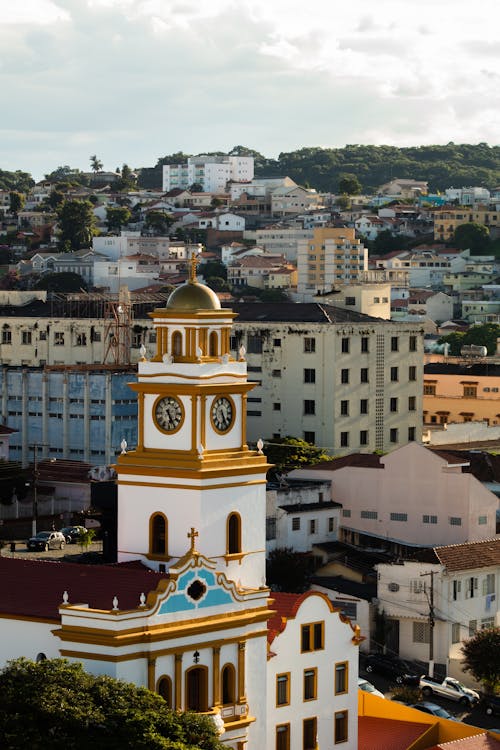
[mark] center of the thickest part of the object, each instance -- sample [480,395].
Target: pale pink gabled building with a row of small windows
[414,496]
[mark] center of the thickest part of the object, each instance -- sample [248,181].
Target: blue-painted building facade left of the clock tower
[77,413]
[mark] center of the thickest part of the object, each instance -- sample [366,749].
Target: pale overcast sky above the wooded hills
[133,80]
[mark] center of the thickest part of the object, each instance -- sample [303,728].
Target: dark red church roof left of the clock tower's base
[32,588]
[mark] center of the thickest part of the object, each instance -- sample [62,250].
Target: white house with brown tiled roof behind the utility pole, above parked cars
[464,581]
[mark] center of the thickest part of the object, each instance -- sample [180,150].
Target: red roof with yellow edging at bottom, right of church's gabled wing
[388,734]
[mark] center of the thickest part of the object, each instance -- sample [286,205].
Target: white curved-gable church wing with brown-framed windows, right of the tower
[316,692]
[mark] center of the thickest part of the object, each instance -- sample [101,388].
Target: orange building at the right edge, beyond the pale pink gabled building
[461,391]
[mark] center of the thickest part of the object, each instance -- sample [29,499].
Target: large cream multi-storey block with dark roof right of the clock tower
[334,377]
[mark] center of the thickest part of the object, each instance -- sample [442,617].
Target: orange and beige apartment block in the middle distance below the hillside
[332,256]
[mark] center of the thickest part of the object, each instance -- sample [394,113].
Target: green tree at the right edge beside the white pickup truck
[482,657]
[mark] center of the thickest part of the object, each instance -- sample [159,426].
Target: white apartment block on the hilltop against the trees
[211,172]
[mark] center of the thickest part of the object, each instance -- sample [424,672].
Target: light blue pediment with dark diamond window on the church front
[197,586]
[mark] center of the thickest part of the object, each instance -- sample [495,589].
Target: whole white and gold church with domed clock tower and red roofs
[186,611]
